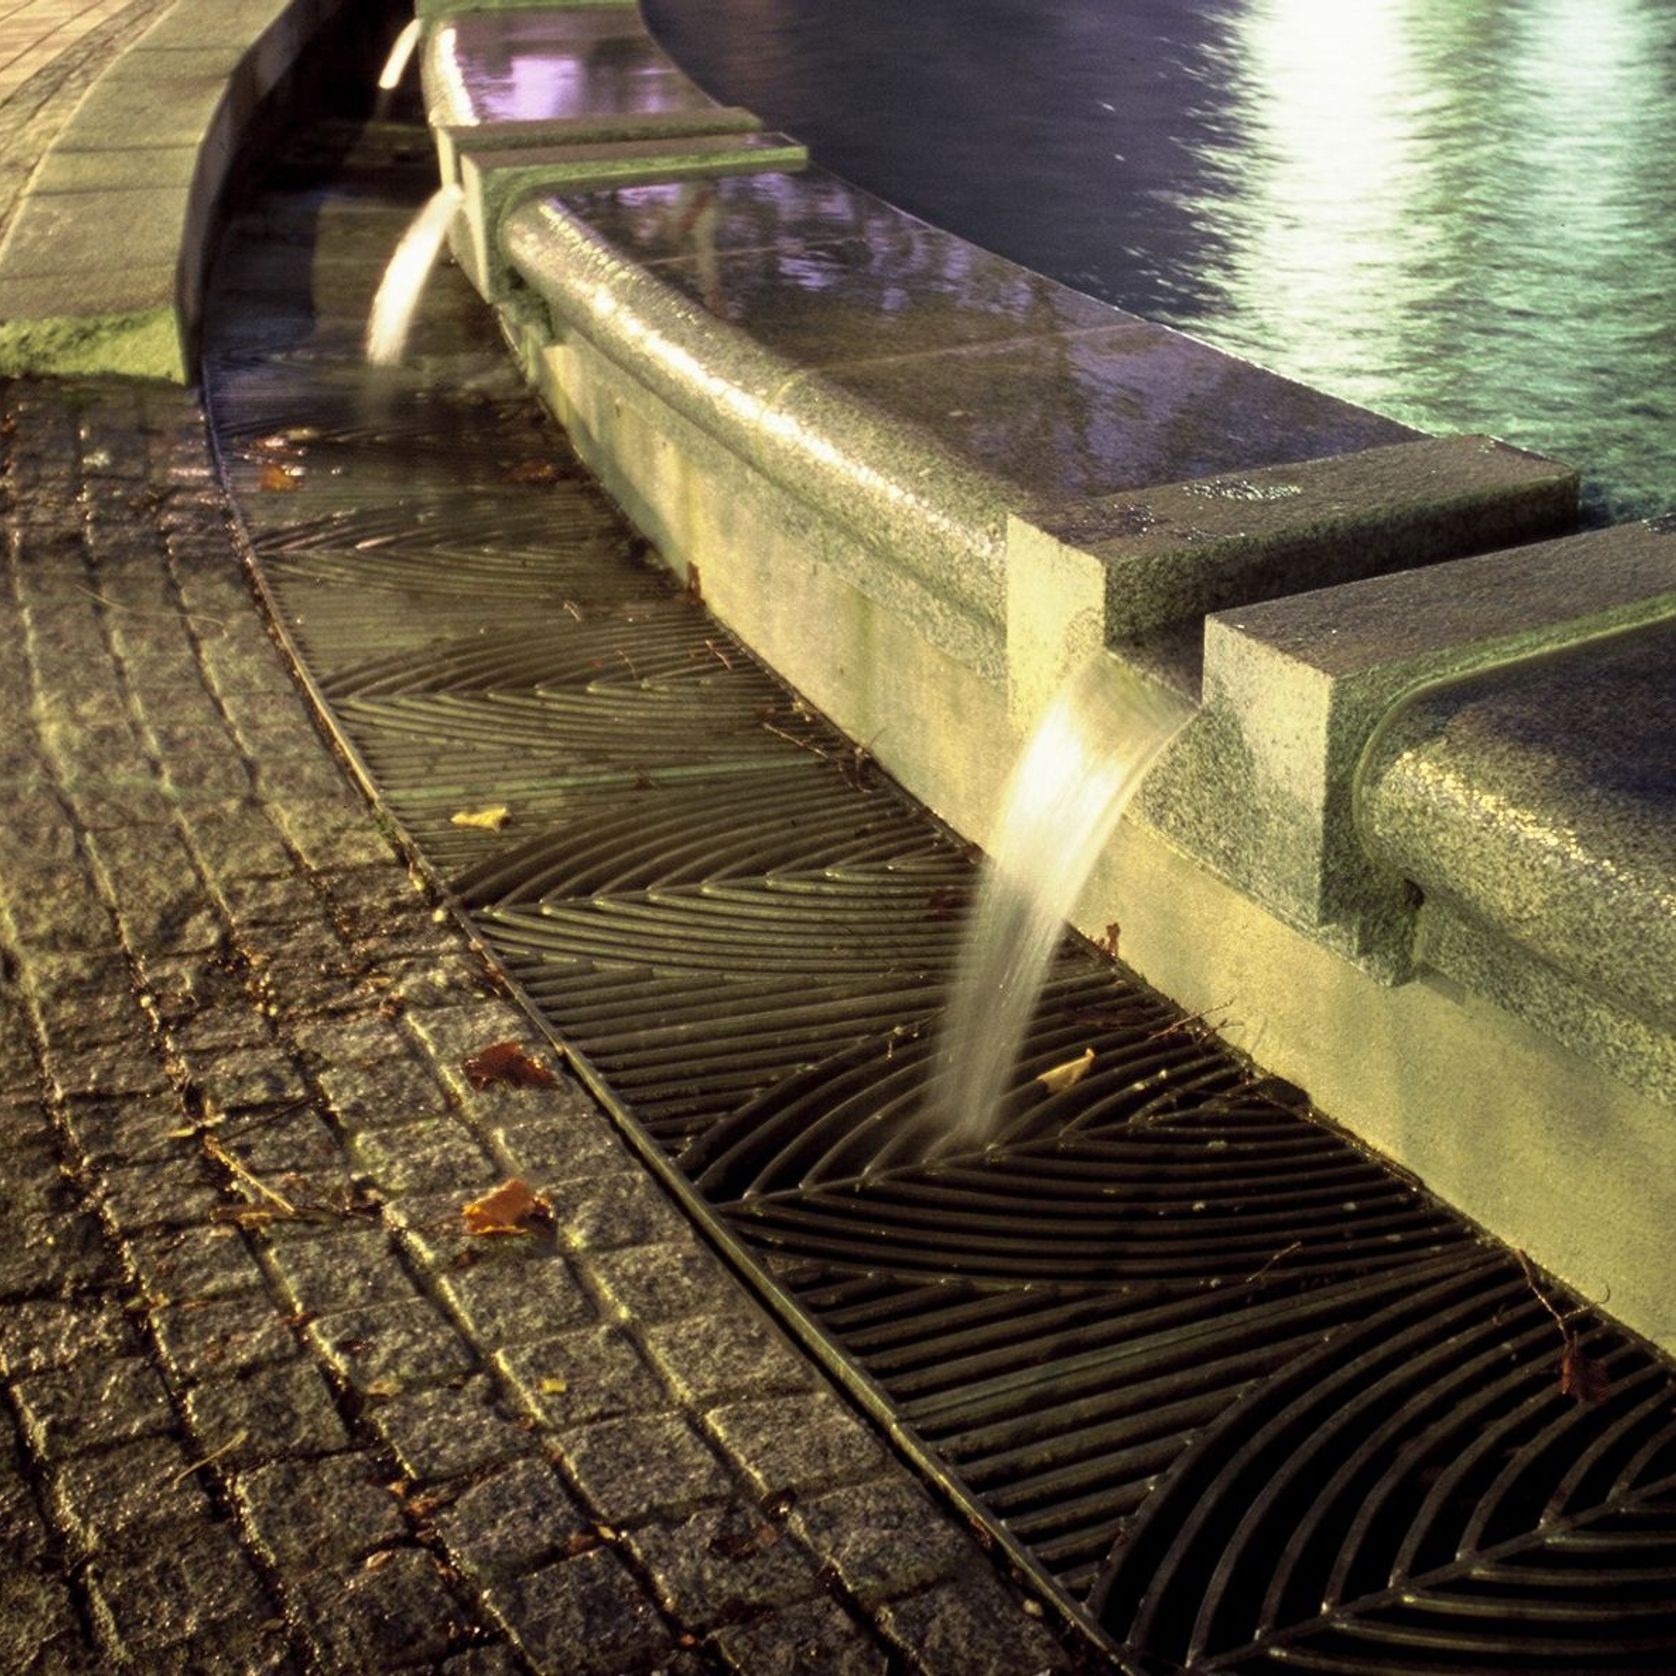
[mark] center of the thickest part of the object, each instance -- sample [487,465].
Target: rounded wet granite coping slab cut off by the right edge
[1539,804]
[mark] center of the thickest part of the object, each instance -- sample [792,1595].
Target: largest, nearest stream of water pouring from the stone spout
[1063,804]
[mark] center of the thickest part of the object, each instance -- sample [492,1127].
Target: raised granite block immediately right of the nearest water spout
[1261,784]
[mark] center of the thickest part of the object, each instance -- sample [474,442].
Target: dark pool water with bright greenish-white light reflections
[1461,214]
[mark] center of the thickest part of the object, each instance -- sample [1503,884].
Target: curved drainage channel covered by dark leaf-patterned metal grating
[1246,1397]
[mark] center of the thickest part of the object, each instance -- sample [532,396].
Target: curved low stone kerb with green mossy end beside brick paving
[105,264]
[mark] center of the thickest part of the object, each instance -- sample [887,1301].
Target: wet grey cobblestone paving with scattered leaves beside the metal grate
[267,1404]
